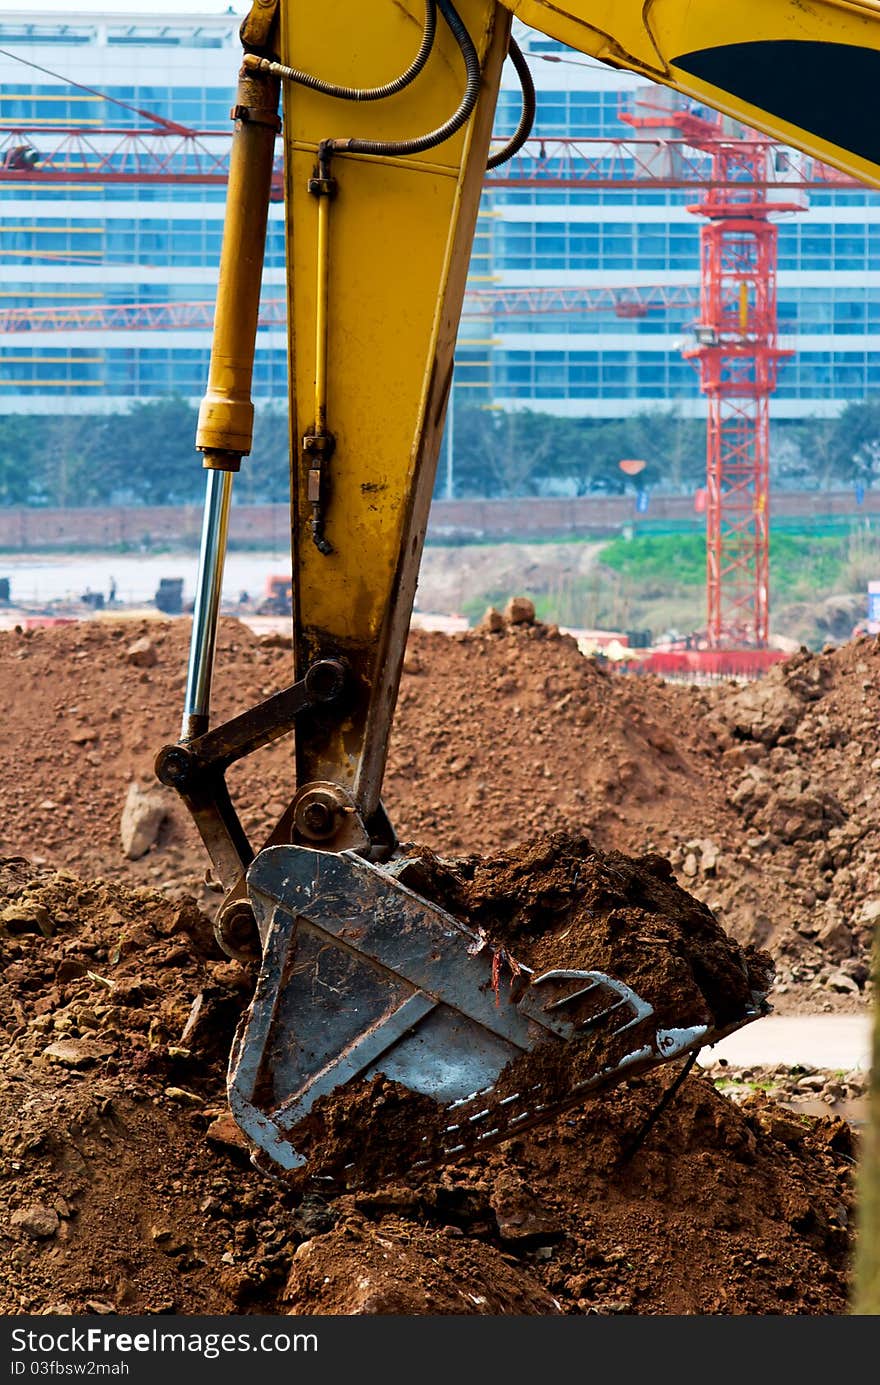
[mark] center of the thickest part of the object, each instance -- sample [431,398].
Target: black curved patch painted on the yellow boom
[829,89]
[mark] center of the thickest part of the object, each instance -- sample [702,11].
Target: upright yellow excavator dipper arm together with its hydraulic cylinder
[382,200]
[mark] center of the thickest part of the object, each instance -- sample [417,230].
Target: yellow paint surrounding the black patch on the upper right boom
[651,35]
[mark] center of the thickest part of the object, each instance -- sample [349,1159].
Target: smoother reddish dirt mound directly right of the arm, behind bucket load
[505,735]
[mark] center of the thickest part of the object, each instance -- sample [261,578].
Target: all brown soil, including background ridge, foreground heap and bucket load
[124,1186]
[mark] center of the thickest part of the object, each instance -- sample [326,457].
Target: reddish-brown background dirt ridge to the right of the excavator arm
[766,797]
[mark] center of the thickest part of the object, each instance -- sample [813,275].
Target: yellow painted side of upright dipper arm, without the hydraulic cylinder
[400,233]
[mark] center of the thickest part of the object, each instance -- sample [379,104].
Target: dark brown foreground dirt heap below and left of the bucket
[125,1188]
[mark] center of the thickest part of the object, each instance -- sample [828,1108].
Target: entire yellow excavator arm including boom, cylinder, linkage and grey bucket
[387,124]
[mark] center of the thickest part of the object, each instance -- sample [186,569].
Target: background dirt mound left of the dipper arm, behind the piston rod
[87,710]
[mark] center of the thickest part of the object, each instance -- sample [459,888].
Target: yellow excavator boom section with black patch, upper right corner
[802,71]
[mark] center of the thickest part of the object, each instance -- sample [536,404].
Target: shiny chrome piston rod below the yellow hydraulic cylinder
[207,609]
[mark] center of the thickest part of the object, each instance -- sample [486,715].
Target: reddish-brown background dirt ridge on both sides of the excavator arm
[766,798]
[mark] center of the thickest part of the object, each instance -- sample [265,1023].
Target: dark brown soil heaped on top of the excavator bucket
[563,904]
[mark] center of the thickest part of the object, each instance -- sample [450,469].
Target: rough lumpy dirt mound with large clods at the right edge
[798,758]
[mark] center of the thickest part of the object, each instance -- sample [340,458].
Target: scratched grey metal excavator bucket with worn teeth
[362,977]
